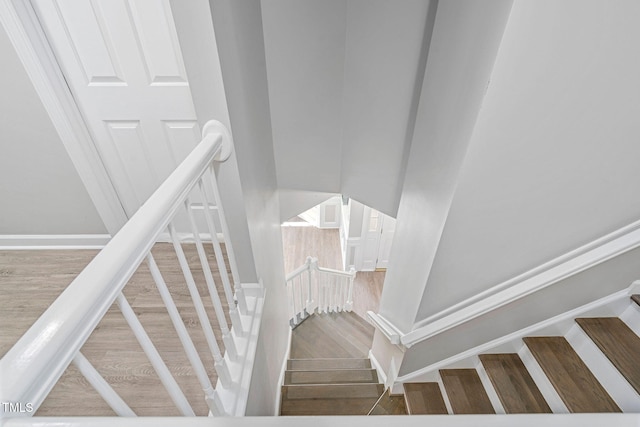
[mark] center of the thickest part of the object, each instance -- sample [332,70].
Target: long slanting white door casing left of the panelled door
[29,40]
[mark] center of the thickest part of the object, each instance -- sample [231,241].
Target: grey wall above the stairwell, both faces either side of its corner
[344,76]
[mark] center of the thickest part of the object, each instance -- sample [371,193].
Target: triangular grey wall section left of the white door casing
[40,190]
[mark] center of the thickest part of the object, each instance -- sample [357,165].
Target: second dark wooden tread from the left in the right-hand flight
[465,391]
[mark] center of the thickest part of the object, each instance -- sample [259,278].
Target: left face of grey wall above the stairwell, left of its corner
[304,45]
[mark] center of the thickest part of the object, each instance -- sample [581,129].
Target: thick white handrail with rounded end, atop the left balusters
[32,367]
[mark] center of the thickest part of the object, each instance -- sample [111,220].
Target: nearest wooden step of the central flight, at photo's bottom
[341,399]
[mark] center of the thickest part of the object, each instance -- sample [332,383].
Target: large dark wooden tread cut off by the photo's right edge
[618,342]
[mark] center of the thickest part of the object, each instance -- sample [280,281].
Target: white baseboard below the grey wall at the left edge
[10,242]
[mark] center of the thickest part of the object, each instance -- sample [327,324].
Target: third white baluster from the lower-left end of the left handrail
[212,399]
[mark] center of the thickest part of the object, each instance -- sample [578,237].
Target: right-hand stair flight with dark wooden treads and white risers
[595,367]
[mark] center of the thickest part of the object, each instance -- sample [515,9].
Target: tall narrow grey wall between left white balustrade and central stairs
[238,29]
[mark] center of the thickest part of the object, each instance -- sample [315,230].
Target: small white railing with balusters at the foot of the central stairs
[312,288]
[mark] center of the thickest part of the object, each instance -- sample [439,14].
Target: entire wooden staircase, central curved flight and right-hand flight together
[595,367]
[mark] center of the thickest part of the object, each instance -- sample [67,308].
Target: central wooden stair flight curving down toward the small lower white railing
[329,372]
